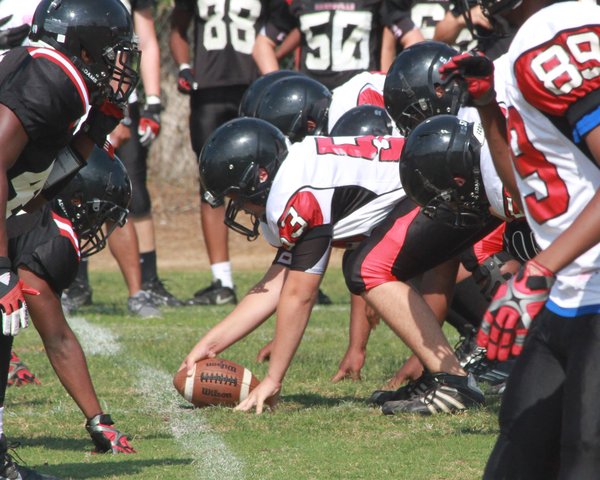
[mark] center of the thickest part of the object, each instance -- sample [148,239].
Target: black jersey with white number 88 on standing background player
[225,32]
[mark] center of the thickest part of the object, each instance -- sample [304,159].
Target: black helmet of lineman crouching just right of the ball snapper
[439,170]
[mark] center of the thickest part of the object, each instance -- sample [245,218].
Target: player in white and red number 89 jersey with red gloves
[547,314]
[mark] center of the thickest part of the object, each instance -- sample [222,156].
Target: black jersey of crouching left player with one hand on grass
[49,247]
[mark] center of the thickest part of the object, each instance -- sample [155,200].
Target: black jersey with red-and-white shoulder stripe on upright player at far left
[48,95]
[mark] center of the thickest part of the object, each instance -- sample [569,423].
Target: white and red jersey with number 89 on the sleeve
[552,94]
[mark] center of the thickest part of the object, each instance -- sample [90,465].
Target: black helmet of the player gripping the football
[240,159]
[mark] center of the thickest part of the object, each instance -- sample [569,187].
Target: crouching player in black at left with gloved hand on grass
[46,256]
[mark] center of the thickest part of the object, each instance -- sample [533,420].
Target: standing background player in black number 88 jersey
[221,71]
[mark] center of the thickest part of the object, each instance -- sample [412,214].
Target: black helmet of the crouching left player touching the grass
[98,194]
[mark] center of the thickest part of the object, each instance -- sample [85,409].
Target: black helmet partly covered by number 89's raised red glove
[413,88]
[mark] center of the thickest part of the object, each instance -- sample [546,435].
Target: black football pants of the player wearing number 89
[550,413]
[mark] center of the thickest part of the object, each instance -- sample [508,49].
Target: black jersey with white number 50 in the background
[343,38]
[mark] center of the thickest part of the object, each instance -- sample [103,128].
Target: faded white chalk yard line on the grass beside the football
[212,459]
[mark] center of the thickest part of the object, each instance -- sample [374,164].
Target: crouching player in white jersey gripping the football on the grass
[306,198]
